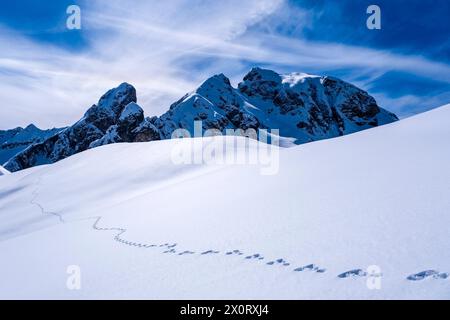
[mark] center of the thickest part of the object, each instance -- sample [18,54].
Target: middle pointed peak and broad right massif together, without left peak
[303,107]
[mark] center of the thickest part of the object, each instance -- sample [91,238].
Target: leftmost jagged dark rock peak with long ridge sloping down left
[103,123]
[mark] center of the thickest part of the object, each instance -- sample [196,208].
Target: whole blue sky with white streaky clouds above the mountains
[50,75]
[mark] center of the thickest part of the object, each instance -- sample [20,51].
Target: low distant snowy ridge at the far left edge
[16,140]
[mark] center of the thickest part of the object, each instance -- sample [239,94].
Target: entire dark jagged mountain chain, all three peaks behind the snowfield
[303,107]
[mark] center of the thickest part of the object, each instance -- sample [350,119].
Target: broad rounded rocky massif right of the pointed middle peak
[310,108]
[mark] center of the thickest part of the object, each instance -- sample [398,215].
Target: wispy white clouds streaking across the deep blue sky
[166,48]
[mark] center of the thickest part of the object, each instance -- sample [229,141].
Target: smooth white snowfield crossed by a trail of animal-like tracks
[139,226]
